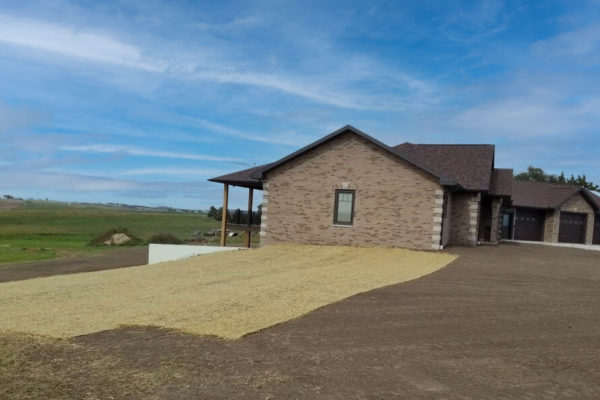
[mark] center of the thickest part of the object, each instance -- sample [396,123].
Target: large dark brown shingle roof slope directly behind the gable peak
[470,165]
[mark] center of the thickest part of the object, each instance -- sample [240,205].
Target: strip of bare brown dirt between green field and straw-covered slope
[109,259]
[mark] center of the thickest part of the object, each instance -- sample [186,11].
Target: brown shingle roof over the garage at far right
[547,195]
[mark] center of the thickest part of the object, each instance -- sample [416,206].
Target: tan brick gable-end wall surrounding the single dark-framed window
[396,204]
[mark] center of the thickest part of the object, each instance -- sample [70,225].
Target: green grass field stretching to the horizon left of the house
[37,230]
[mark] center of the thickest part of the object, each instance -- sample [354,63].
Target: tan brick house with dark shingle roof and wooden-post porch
[350,189]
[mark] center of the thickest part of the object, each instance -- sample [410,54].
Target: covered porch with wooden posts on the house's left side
[248,220]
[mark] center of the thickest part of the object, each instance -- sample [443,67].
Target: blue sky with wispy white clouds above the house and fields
[141,102]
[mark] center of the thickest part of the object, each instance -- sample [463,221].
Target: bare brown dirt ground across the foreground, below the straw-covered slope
[507,322]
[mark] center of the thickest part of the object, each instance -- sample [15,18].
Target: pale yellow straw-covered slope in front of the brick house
[225,294]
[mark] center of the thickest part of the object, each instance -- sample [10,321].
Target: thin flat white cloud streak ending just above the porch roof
[136,151]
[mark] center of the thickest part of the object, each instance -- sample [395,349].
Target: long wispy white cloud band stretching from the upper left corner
[210,62]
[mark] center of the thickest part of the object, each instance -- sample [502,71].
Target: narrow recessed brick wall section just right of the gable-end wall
[465,218]
